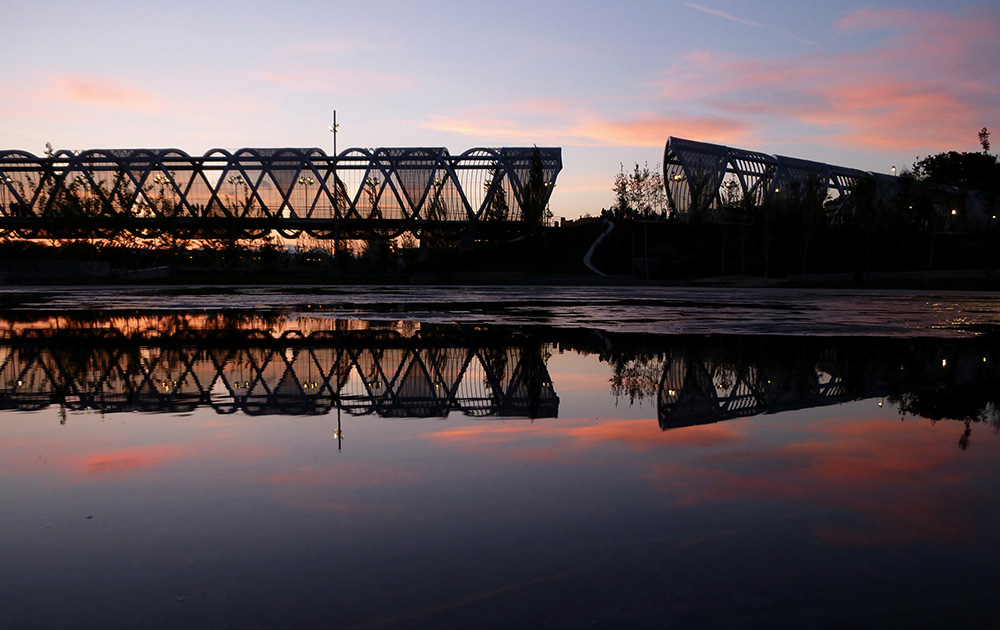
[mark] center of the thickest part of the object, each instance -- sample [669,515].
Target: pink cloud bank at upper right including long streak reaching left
[928,83]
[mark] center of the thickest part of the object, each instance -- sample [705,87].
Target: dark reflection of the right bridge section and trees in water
[721,379]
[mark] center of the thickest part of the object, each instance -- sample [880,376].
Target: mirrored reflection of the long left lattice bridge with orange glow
[259,366]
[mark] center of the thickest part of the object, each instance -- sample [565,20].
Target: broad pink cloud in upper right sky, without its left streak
[929,84]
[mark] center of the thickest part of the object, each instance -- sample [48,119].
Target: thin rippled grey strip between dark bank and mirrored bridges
[625,309]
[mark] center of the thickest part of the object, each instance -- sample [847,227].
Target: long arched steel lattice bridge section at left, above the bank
[254,192]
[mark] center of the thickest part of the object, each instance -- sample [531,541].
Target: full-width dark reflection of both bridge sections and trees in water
[308,365]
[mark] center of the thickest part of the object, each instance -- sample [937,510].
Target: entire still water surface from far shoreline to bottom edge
[498,458]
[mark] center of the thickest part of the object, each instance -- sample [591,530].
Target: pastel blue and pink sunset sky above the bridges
[867,85]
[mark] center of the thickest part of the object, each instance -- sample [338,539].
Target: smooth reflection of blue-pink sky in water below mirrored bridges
[822,516]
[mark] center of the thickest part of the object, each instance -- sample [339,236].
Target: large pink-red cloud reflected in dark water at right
[901,481]
